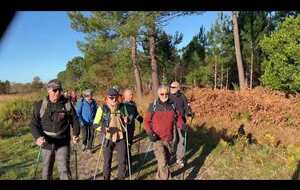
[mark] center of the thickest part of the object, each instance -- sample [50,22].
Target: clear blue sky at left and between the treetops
[40,43]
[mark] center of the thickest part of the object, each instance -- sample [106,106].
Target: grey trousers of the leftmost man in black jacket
[62,158]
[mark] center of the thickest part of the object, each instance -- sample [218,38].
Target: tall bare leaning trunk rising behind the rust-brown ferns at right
[238,53]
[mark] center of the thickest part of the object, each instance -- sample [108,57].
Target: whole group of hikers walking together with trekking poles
[165,123]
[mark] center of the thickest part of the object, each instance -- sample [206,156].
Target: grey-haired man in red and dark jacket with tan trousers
[160,119]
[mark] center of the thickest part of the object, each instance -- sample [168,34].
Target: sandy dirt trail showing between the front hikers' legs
[87,162]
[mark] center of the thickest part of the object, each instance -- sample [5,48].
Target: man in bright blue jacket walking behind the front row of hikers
[86,110]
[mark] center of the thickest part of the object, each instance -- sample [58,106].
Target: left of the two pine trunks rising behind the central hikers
[137,75]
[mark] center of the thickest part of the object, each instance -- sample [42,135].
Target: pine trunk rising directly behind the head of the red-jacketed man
[155,81]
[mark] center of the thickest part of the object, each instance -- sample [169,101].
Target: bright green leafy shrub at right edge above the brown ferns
[282,64]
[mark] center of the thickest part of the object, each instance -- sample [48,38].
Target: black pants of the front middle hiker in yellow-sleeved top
[108,149]
